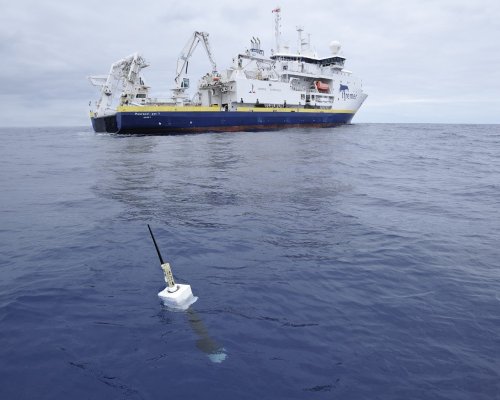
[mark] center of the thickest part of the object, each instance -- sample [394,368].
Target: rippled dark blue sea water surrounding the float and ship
[353,263]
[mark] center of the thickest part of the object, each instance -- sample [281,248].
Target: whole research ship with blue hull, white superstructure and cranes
[288,88]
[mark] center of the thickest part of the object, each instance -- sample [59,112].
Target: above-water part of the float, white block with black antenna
[175,295]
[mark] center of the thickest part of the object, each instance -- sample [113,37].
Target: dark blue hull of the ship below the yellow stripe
[180,122]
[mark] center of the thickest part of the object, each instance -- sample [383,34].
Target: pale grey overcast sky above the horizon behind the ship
[420,60]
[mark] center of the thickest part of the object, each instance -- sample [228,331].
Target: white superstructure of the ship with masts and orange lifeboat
[285,79]
